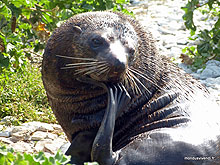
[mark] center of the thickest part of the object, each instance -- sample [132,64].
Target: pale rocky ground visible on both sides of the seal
[164,19]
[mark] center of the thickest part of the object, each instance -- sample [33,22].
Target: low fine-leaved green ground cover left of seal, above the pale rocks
[22,95]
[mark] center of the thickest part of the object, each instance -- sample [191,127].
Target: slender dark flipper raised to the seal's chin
[102,145]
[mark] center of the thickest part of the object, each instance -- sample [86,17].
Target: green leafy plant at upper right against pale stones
[209,39]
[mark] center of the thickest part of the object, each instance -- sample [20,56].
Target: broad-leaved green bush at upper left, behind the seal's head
[26,25]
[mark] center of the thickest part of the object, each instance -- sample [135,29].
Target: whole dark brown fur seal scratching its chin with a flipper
[120,102]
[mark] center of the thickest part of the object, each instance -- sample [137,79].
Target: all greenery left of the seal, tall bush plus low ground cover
[25,27]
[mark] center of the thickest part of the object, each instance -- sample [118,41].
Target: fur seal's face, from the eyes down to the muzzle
[112,55]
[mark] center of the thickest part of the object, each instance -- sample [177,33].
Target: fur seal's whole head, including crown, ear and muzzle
[94,45]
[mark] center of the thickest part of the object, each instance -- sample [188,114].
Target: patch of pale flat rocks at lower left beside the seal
[33,137]
